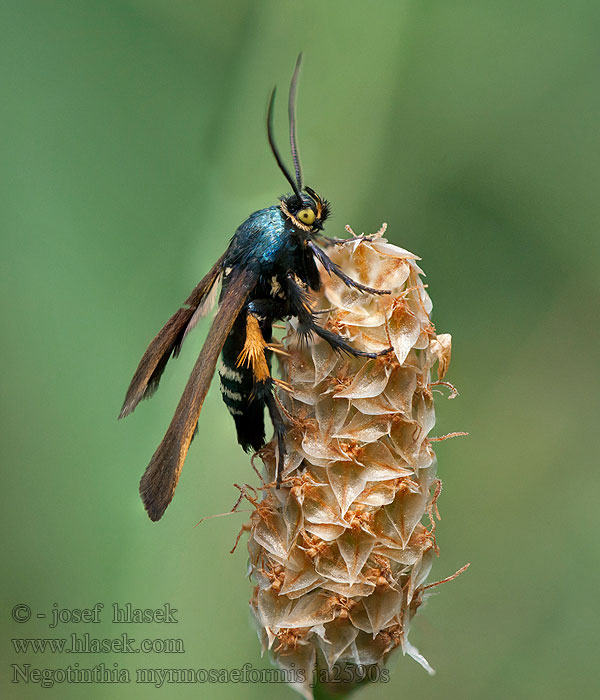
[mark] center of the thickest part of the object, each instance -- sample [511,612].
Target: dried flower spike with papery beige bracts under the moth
[340,554]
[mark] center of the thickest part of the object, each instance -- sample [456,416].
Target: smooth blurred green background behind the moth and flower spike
[133,143]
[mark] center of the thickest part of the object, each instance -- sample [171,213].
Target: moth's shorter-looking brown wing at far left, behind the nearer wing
[168,342]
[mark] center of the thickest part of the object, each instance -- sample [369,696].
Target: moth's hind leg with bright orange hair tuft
[256,355]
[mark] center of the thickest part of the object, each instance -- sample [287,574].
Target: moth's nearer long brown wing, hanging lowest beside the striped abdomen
[160,478]
